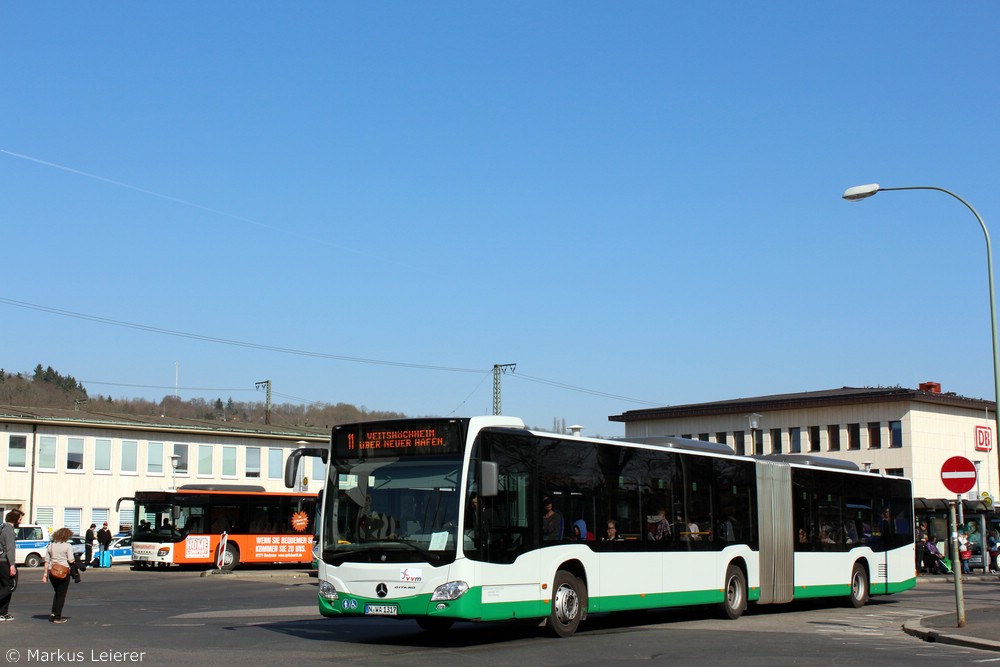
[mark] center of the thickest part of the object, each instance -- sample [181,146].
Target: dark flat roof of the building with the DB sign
[808,399]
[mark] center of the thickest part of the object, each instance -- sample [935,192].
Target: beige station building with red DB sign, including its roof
[889,430]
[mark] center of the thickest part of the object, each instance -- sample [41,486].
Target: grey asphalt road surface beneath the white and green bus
[262,617]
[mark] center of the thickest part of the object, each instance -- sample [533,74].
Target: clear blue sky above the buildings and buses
[642,200]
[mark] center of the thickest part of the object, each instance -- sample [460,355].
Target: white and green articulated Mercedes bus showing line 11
[481,519]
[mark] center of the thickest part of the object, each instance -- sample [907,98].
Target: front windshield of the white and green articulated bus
[392,510]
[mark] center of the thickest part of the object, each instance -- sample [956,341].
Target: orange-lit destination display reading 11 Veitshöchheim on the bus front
[397,439]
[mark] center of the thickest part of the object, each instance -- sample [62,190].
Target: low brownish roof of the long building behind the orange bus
[84,418]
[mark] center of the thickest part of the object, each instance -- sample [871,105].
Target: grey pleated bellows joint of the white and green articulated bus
[774,508]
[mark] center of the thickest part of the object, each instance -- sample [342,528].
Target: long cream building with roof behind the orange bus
[69,468]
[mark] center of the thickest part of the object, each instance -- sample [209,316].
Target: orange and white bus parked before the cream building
[185,527]
